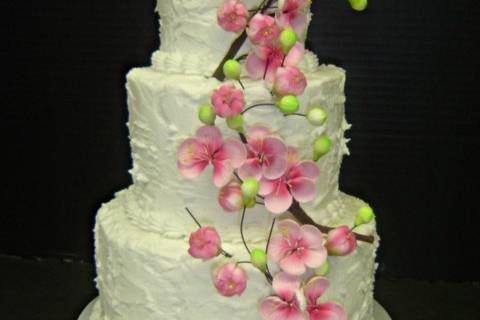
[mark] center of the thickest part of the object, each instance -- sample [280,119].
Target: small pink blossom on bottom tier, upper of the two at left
[204,243]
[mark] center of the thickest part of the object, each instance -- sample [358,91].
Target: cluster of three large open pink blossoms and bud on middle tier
[281,174]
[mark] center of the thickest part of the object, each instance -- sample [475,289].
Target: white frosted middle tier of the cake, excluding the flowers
[163,112]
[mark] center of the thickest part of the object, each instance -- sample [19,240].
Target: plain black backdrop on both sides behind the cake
[412,90]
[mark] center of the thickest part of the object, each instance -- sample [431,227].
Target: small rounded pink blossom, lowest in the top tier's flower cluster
[289,80]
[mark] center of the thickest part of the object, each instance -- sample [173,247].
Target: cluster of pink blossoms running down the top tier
[267,59]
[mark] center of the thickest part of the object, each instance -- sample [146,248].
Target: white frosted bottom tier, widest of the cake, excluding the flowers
[144,275]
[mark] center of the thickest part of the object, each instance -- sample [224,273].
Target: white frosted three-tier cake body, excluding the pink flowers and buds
[144,267]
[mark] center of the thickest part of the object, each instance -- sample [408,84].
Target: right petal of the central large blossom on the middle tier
[275,153]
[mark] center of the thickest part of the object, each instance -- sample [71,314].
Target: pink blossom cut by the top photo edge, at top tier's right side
[291,14]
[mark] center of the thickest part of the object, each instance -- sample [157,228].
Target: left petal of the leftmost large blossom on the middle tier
[192,158]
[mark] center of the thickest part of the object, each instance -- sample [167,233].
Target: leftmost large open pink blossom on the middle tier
[194,154]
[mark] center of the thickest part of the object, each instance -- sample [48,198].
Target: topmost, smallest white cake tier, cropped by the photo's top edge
[190,32]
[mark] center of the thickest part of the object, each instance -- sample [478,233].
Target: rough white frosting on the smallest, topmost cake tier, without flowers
[190,34]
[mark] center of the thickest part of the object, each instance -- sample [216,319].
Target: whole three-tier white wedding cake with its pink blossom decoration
[237,138]
